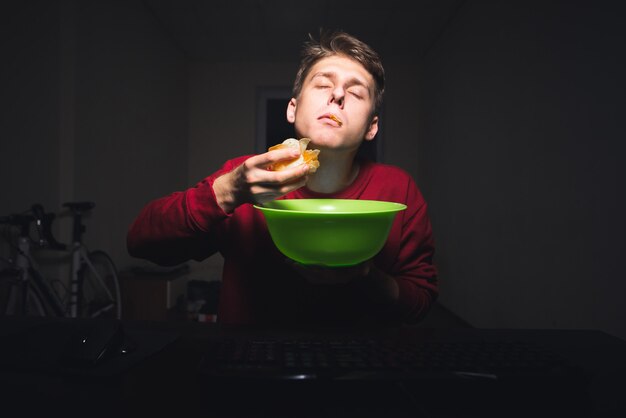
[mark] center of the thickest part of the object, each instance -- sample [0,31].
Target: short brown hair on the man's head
[341,43]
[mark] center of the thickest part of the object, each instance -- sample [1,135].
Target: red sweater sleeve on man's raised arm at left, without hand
[181,226]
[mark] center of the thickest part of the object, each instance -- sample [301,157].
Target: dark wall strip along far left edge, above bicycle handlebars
[29,119]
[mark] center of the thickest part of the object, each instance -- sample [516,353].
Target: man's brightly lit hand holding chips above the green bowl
[252,182]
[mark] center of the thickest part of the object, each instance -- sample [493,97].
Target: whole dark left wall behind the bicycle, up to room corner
[94,99]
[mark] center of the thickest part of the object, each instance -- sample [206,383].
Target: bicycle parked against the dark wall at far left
[94,290]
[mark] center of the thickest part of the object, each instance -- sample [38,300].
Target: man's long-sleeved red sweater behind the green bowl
[257,285]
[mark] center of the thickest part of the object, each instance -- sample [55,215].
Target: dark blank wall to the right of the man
[521,138]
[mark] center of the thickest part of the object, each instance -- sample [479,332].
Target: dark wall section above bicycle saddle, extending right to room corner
[131,117]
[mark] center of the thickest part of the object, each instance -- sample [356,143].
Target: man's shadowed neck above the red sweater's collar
[334,174]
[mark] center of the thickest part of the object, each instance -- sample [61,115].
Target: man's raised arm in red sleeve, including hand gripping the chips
[183,225]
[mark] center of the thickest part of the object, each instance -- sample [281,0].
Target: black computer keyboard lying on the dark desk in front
[367,358]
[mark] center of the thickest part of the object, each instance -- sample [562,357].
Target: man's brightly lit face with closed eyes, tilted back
[335,105]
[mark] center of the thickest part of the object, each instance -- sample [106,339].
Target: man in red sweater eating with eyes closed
[337,95]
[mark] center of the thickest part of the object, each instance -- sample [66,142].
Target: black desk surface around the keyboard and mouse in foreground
[164,382]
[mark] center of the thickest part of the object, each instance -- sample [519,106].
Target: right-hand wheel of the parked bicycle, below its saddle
[99,289]
